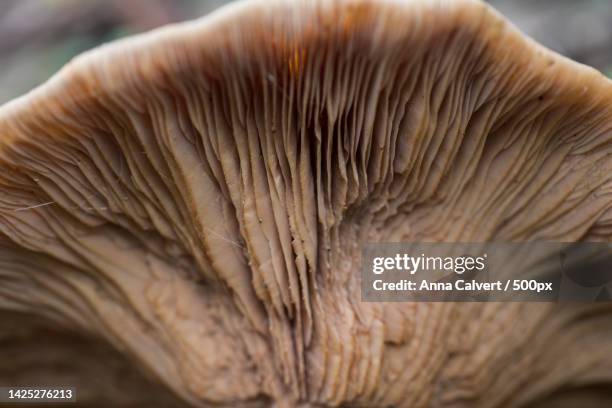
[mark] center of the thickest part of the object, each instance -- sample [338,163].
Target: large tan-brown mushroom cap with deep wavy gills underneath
[197,197]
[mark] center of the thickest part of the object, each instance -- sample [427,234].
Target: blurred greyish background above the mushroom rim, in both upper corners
[37,37]
